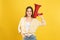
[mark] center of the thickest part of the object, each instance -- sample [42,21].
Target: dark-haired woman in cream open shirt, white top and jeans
[28,24]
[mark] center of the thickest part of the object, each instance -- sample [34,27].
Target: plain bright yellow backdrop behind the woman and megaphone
[12,10]
